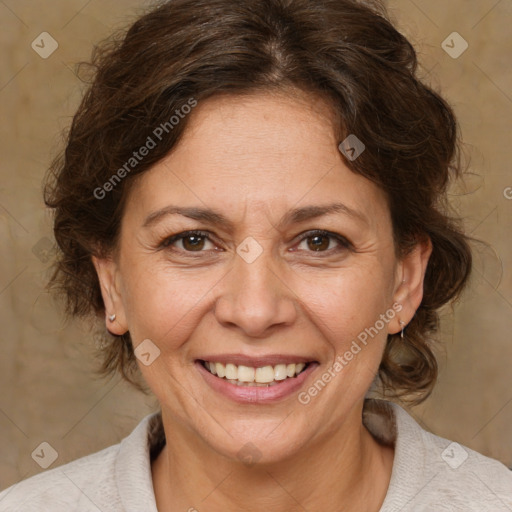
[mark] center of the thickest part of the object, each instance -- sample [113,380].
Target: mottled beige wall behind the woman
[48,389]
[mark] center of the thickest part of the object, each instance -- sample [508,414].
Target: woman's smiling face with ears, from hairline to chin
[252,245]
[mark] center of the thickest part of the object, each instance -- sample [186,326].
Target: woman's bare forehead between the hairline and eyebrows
[265,151]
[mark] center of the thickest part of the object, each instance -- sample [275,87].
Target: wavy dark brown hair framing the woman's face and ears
[346,51]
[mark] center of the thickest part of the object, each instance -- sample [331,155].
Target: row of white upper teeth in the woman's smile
[262,375]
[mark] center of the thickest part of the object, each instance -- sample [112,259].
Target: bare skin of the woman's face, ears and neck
[253,159]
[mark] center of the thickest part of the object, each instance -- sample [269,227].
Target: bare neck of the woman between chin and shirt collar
[347,470]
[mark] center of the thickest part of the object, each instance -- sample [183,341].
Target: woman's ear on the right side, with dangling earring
[409,288]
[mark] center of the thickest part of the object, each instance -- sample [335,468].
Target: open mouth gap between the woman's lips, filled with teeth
[261,376]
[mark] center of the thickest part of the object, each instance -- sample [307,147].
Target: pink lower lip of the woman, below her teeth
[256,394]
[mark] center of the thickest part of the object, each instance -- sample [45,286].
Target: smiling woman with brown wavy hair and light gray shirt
[252,197]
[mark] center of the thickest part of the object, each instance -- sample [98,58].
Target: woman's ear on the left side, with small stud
[110,284]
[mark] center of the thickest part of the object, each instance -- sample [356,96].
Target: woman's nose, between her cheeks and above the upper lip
[254,298]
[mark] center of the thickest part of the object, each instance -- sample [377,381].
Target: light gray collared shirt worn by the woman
[430,474]
